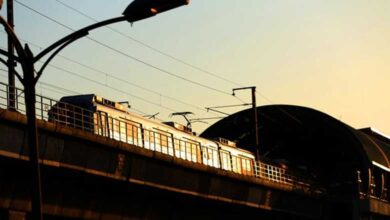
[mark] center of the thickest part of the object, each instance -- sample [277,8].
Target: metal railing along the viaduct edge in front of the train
[100,123]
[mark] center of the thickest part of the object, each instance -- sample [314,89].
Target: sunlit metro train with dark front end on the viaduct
[113,119]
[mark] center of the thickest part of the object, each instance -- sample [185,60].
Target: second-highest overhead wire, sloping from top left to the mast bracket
[125,54]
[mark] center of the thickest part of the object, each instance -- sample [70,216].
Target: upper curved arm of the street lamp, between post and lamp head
[77,35]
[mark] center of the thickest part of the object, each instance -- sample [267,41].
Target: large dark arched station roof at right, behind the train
[307,139]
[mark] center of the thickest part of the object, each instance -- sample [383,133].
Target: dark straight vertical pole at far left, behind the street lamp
[11,61]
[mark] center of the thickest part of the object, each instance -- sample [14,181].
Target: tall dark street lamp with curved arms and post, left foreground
[137,10]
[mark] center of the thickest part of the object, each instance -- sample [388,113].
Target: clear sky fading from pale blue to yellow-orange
[329,55]
